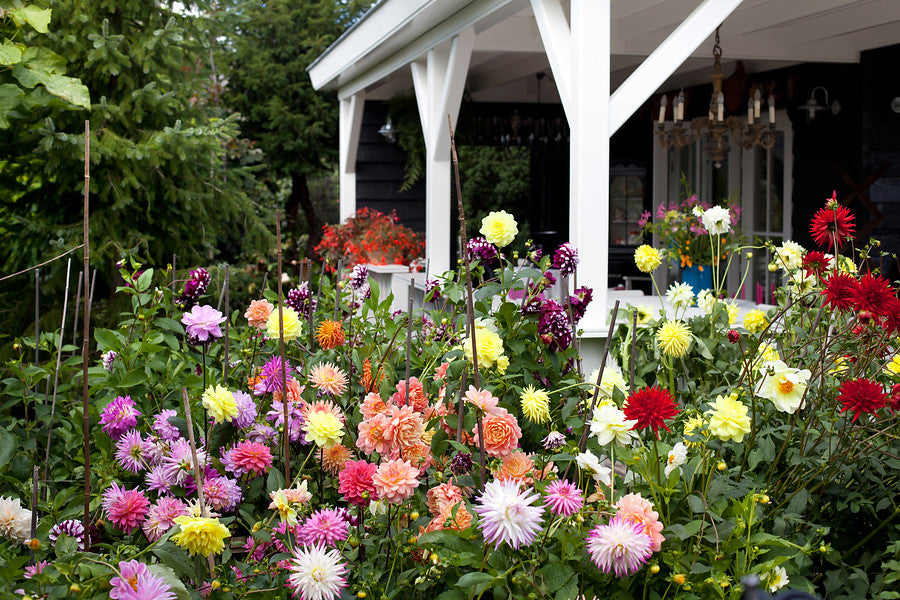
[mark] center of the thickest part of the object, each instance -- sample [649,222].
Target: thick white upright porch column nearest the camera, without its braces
[589,153]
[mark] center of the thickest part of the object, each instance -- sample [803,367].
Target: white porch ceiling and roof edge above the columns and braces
[373,56]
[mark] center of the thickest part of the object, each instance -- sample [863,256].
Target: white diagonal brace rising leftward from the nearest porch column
[556,36]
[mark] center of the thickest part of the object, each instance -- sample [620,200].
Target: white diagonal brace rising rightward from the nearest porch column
[670,54]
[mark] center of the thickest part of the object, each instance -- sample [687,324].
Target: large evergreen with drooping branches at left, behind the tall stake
[158,143]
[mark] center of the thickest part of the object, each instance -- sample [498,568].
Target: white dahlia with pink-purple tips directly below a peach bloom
[621,546]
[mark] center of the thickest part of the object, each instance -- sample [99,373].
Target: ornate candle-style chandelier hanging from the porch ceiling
[678,133]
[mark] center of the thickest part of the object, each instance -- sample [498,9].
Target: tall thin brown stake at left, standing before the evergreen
[86,320]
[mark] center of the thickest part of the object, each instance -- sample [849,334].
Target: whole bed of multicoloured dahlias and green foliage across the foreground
[372,460]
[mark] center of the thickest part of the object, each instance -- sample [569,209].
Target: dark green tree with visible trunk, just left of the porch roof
[295,126]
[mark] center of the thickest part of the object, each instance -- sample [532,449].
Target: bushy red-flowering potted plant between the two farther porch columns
[370,237]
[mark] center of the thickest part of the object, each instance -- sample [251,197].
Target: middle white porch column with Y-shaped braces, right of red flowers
[439,85]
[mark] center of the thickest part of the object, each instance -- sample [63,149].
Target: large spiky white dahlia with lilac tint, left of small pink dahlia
[508,515]
